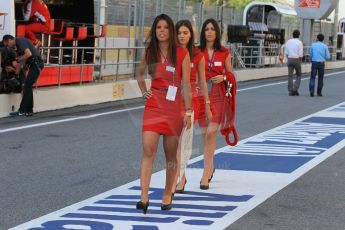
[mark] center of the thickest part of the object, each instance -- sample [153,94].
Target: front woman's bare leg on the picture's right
[170,144]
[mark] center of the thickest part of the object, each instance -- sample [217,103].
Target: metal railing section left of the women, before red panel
[101,64]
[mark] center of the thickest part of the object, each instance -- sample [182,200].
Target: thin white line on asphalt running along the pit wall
[129,109]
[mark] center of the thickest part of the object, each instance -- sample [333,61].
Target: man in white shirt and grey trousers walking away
[294,53]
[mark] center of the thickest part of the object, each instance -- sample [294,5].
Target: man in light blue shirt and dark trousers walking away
[319,54]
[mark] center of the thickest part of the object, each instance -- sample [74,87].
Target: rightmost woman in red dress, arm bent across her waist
[217,68]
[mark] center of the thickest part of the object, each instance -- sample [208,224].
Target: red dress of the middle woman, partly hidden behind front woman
[197,57]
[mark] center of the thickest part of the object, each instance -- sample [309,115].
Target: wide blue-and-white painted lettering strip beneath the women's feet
[246,175]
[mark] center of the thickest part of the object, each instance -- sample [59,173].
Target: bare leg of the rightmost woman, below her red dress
[209,148]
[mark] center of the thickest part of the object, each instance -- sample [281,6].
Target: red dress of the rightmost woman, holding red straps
[215,65]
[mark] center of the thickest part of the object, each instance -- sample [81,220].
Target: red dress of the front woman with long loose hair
[161,115]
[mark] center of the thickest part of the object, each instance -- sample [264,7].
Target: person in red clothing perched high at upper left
[37,16]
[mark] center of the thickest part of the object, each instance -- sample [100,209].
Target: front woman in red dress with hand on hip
[165,110]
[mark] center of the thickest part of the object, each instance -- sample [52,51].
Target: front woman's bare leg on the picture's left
[150,143]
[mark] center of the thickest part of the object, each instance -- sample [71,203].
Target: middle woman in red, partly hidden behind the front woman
[185,38]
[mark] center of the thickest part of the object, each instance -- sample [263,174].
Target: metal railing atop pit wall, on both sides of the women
[104,64]
